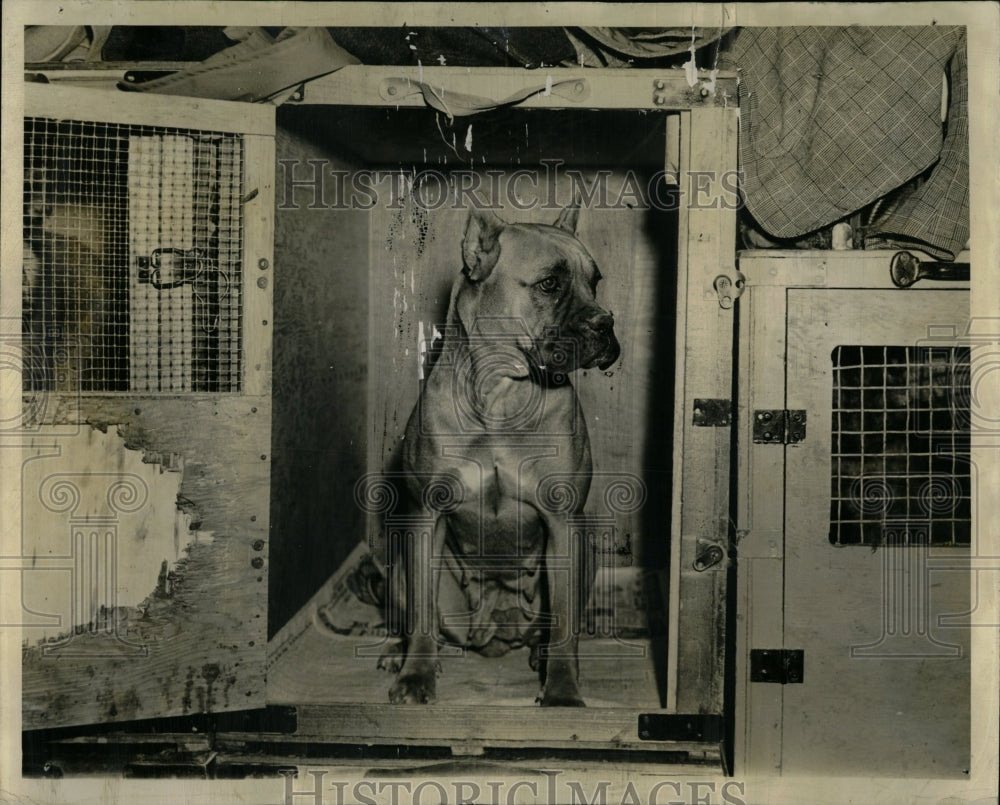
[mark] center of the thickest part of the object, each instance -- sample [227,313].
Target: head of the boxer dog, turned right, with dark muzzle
[536,286]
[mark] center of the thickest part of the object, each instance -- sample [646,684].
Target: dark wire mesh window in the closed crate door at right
[900,446]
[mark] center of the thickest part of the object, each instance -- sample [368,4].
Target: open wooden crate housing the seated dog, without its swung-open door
[656,651]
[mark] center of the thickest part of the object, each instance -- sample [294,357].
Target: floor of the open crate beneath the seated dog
[324,668]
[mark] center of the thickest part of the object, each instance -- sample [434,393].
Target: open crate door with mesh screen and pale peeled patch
[146,428]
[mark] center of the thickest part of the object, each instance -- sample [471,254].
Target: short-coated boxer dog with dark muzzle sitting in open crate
[498,425]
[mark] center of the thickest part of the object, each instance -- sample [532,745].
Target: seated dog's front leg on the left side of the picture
[417,680]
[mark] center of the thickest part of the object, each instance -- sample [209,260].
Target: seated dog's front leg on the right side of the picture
[564,568]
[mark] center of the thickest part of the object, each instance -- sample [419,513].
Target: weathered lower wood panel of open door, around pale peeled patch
[205,634]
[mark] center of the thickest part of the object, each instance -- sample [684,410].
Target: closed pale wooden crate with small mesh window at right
[854,517]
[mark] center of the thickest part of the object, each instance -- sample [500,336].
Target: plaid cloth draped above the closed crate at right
[832,119]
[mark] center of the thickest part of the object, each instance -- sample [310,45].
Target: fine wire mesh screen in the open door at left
[132,258]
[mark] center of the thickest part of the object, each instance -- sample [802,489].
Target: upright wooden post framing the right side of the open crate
[706,245]
